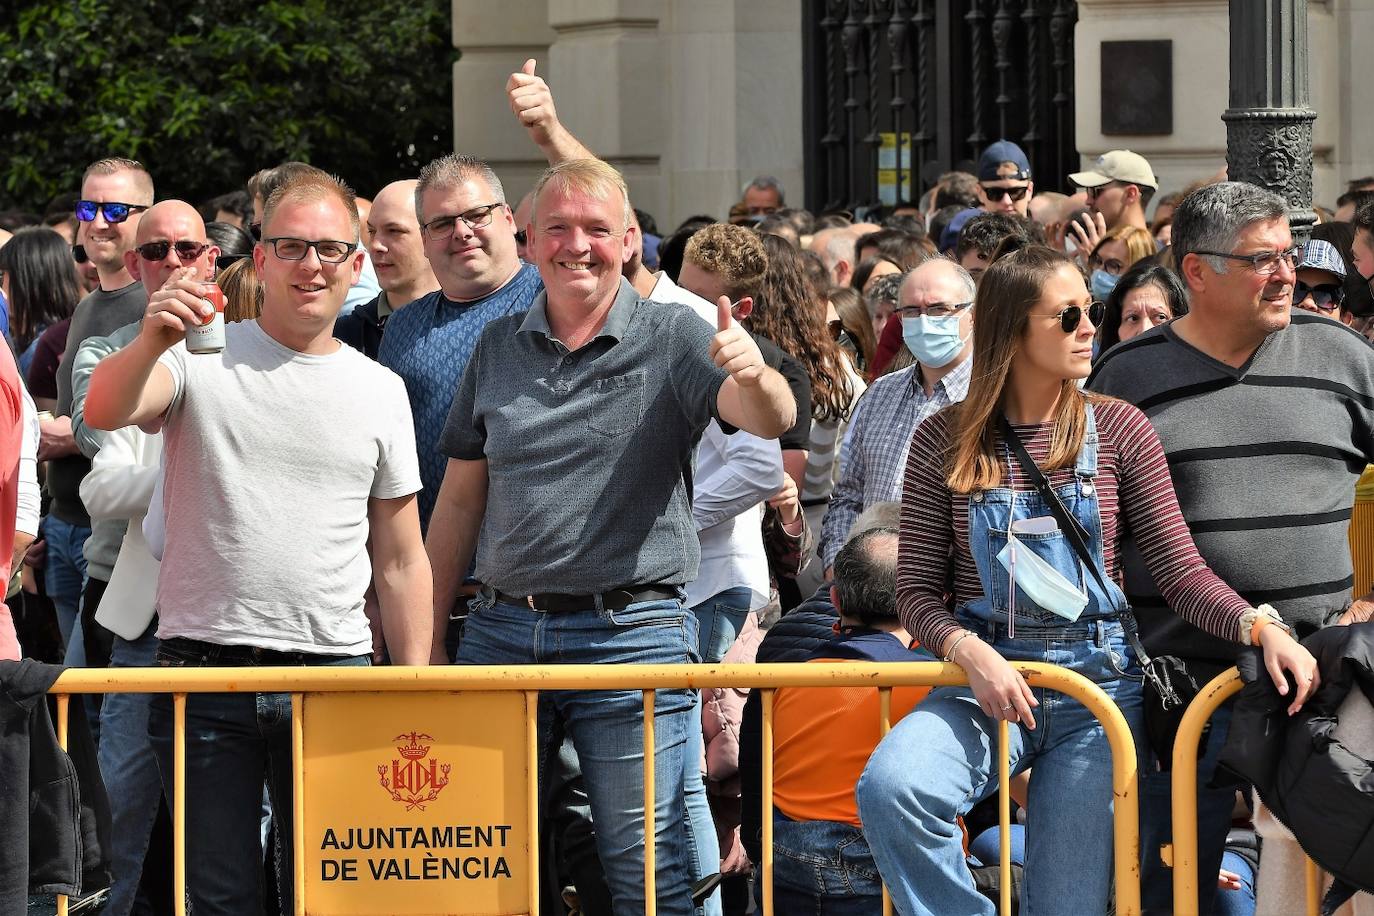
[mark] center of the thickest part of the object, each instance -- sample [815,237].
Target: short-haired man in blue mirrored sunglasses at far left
[115,197]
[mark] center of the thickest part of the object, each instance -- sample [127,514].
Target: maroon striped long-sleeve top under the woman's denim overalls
[1134,491]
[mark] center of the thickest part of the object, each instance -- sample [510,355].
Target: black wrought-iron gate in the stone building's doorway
[901,91]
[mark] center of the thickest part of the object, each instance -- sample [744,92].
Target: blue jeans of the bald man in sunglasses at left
[131,774]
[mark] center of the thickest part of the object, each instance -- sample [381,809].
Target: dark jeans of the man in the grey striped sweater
[1214,810]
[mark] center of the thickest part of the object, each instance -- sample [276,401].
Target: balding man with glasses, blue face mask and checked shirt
[936,308]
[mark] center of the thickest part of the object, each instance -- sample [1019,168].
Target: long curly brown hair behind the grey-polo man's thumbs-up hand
[788,311]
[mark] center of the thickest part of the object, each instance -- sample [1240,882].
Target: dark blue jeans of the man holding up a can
[234,742]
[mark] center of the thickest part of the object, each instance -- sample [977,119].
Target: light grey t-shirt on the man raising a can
[271,458]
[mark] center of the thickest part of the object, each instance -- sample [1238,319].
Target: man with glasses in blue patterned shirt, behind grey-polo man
[469,237]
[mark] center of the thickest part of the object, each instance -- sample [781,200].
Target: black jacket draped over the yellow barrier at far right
[1317,777]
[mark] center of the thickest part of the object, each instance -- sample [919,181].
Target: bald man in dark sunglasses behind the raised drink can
[170,244]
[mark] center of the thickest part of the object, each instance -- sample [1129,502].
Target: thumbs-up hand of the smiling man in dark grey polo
[755,398]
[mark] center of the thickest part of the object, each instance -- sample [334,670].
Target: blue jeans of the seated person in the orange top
[824,869]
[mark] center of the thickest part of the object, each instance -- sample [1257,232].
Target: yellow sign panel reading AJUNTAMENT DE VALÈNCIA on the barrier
[416,804]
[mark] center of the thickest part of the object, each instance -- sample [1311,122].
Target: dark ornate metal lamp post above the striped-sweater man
[1269,124]
